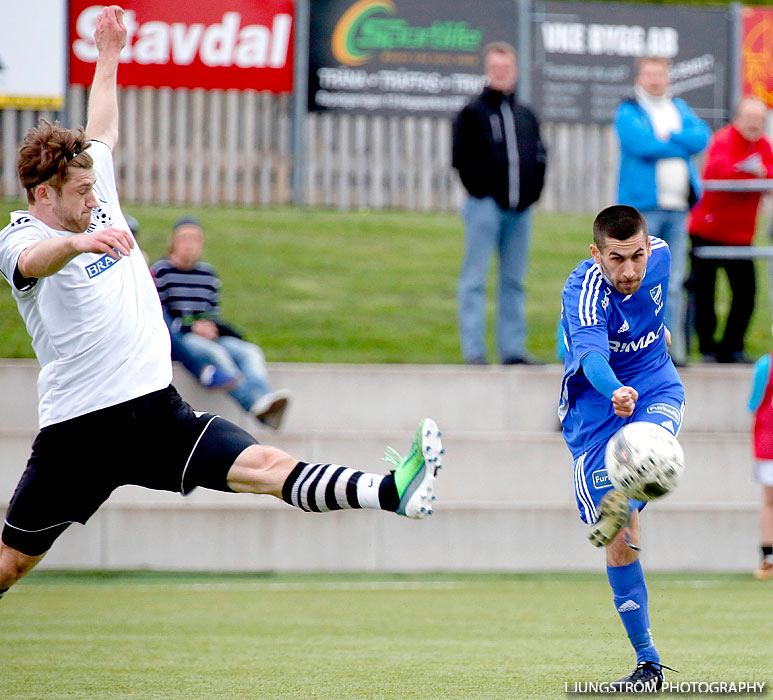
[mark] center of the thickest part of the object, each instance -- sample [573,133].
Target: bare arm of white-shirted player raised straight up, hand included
[110,38]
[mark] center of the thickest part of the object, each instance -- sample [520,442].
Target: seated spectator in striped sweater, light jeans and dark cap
[190,295]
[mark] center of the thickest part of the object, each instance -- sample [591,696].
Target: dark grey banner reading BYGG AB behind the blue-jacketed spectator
[585,57]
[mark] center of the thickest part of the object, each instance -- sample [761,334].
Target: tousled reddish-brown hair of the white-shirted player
[47,153]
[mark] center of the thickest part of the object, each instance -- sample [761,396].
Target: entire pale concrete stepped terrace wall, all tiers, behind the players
[505,496]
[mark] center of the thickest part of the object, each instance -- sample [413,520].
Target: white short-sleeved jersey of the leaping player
[96,325]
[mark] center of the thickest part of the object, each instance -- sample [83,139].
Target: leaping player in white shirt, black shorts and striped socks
[108,414]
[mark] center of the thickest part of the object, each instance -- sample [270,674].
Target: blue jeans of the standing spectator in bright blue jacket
[670,226]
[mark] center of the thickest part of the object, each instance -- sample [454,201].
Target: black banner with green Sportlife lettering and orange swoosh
[401,57]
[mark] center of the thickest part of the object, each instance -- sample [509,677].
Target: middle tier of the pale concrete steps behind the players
[523,468]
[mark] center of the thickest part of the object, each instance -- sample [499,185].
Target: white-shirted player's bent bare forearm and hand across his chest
[48,256]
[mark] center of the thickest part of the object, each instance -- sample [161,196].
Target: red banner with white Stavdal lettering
[234,44]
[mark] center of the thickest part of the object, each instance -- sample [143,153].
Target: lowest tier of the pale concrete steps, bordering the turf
[456,539]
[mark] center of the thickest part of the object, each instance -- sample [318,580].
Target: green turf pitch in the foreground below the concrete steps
[106,636]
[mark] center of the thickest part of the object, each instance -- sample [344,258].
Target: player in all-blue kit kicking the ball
[617,370]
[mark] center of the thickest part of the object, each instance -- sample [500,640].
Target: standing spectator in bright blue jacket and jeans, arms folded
[658,137]
